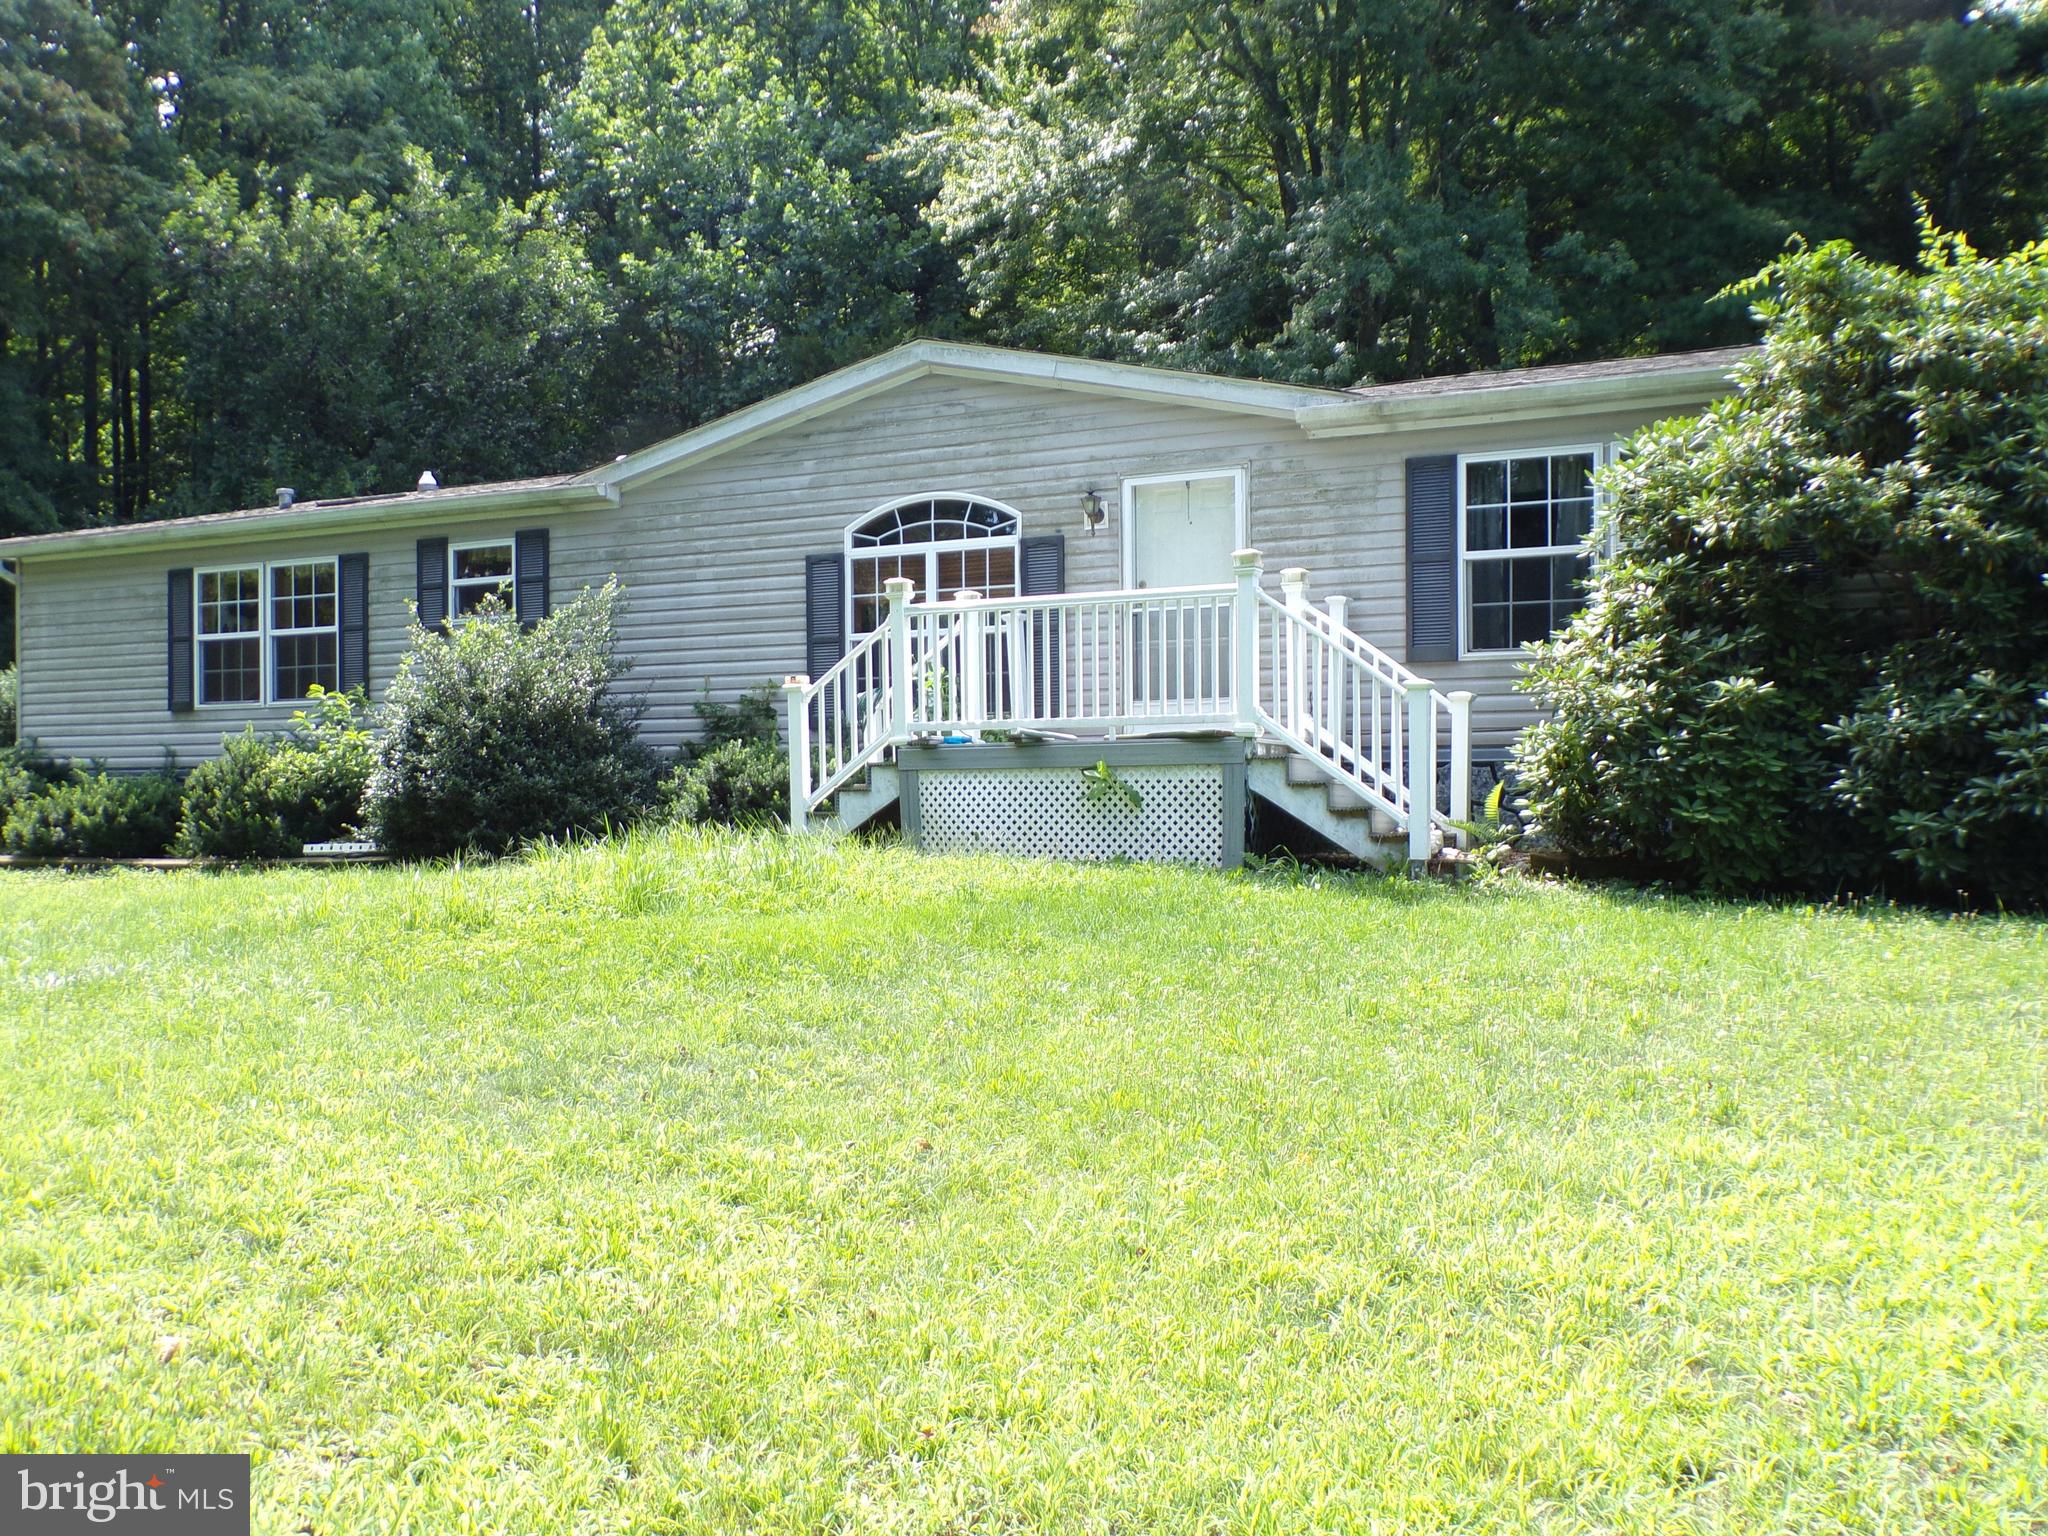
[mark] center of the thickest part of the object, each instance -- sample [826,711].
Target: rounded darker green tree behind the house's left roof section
[351,345]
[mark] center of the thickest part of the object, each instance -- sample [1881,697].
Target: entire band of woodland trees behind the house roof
[331,247]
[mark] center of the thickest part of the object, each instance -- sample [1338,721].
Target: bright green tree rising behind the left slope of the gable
[722,161]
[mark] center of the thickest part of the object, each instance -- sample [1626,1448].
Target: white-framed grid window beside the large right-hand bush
[1523,527]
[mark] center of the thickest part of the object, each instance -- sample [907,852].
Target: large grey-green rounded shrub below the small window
[501,734]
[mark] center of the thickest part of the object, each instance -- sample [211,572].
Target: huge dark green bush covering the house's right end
[1820,654]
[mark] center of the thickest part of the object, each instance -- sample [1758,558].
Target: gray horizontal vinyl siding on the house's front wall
[712,556]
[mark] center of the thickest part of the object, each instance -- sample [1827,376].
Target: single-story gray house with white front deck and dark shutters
[826,536]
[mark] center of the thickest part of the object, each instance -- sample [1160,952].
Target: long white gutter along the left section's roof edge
[306,519]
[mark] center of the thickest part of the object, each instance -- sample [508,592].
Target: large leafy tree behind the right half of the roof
[1334,191]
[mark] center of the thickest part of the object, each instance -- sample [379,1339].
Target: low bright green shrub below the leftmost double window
[269,796]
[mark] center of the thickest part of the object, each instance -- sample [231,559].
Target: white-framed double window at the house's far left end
[288,613]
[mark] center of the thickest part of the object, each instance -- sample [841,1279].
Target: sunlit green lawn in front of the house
[703,1185]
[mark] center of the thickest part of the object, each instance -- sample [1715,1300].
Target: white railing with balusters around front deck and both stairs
[1132,663]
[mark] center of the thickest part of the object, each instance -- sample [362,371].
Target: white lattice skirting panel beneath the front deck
[1048,814]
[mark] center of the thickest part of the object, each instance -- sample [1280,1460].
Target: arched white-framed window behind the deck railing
[945,544]
